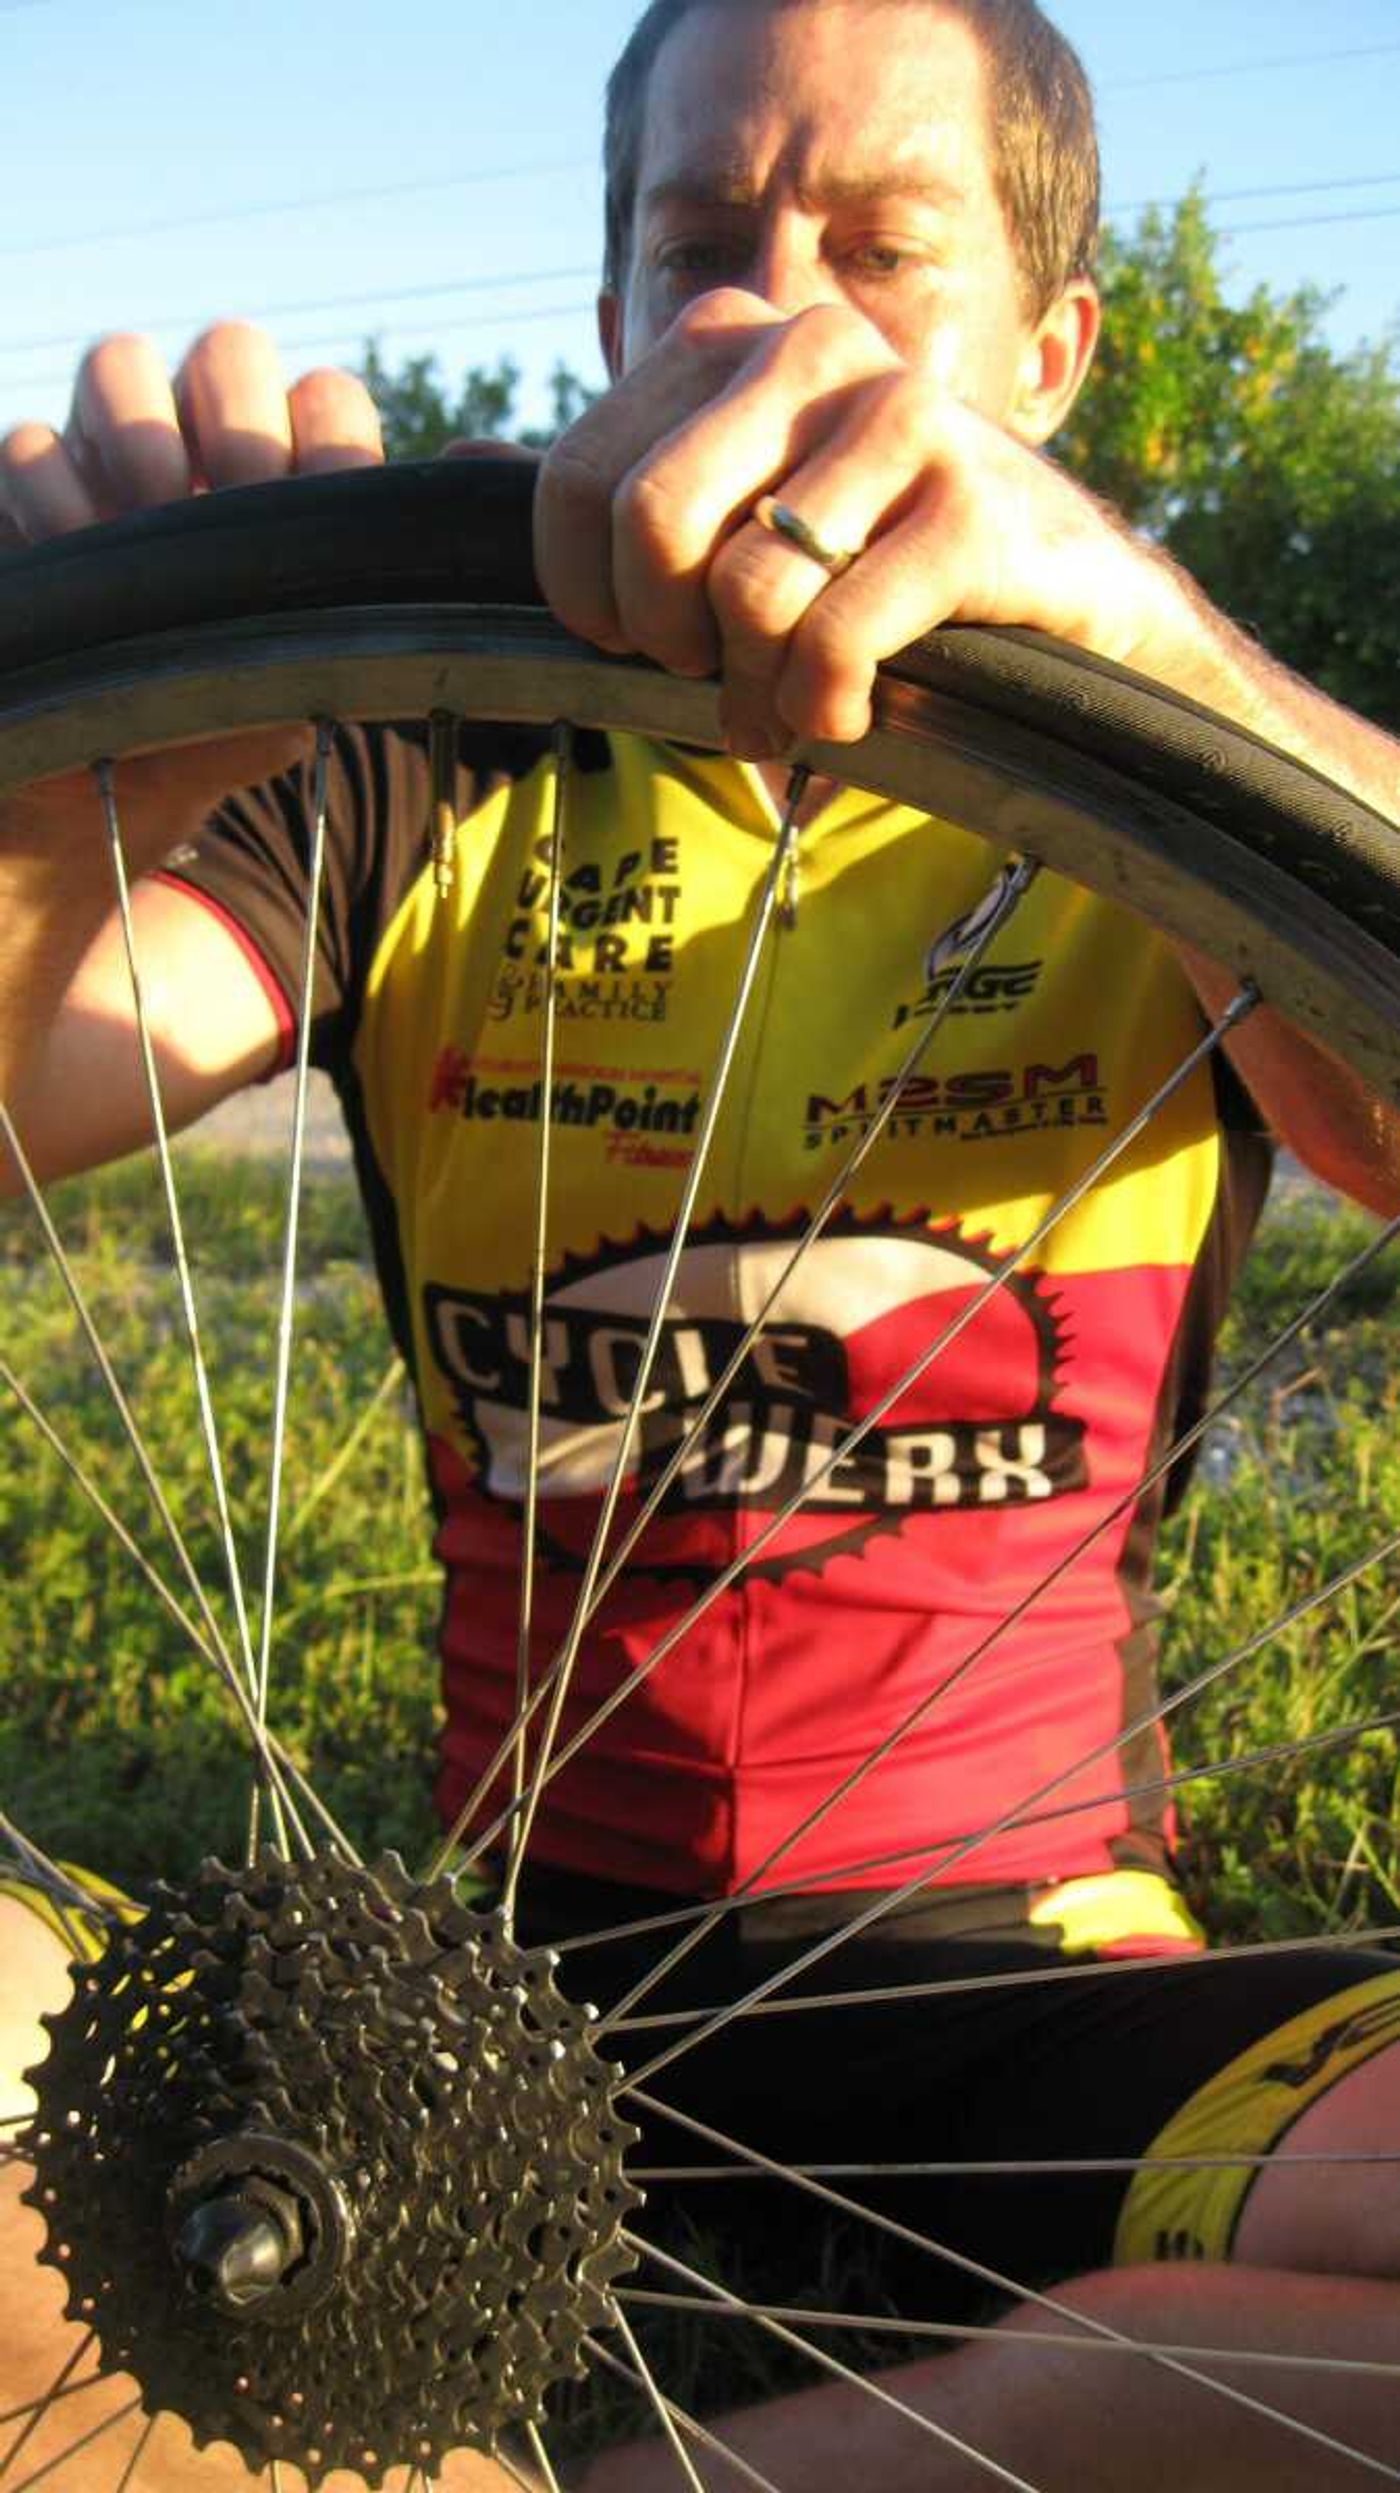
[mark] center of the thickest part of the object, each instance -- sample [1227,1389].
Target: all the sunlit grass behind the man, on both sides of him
[116,1736]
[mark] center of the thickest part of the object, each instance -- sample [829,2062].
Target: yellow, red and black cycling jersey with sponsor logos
[881,1599]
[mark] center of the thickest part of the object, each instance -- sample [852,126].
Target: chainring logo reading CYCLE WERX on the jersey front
[978,1427]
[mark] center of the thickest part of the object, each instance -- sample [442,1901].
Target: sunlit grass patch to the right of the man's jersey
[1302,1482]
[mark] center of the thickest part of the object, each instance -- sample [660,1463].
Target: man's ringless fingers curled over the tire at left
[138,438]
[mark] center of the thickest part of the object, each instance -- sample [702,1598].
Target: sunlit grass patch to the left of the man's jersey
[116,1739]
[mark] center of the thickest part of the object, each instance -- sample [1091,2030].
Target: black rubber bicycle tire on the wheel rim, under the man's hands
[460,532]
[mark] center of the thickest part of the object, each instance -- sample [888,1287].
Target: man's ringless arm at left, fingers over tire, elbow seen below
[69,1058]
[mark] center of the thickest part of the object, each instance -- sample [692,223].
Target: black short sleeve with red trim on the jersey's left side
[253,861]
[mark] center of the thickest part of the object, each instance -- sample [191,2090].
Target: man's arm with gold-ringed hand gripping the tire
[644,542]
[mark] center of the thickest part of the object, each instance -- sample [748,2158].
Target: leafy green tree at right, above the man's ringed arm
[1249,450]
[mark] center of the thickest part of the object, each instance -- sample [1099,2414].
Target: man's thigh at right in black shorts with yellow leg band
[1075,2115]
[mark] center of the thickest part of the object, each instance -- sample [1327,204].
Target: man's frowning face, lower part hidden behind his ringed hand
[833,151]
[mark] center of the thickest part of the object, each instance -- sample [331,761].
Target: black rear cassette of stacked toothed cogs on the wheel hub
[330,2168]
